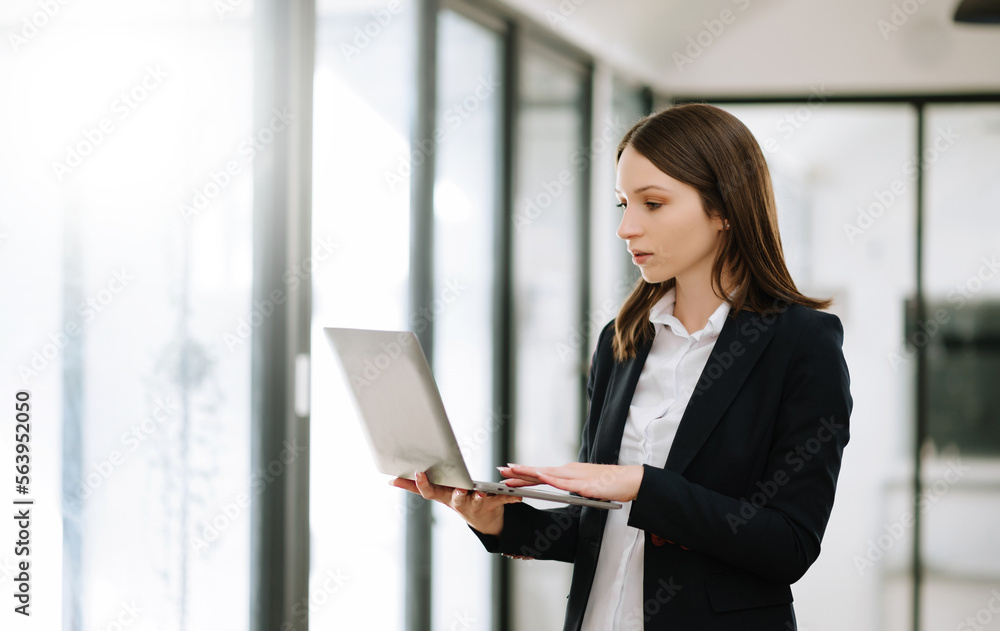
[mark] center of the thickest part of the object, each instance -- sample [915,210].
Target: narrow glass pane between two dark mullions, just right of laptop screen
[466,149]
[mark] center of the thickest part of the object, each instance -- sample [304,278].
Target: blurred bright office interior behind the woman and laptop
[191,189]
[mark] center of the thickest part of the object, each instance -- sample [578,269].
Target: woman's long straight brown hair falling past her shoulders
[709,149]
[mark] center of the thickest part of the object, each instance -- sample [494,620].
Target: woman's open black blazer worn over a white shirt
[738,511]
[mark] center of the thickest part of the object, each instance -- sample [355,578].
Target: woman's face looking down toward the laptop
[664,223]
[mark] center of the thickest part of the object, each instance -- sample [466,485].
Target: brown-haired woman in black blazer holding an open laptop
[719,406]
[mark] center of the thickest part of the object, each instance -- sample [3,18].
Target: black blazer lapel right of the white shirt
[732,358]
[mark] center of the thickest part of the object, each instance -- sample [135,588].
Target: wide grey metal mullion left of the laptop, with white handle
[284,35]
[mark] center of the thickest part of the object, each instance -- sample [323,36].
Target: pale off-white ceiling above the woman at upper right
[746,47]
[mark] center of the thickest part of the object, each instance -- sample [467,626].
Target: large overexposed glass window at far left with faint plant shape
[126,186]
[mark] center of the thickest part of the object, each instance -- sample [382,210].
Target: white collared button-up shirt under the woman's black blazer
[669,375]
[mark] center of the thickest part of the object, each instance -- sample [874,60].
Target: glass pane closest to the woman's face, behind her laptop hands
[547,273]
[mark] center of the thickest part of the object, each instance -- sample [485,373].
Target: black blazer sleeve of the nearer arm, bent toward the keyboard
[777,532]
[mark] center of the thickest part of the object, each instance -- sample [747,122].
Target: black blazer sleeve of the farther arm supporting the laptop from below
[549,534]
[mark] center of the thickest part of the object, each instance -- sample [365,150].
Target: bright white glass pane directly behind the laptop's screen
[363,99]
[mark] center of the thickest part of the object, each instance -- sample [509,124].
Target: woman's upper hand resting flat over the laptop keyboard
[618,483]
